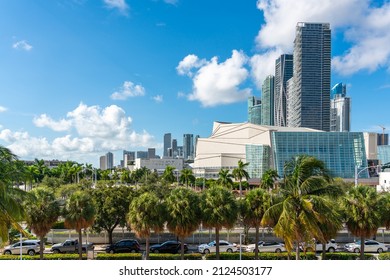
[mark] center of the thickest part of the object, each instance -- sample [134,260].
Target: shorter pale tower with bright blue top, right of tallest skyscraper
[340,109]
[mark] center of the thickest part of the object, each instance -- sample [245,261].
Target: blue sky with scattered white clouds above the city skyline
[79,78]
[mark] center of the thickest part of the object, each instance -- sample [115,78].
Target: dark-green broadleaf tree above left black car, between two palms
[112,205]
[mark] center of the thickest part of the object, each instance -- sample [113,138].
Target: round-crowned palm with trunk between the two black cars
[146,213]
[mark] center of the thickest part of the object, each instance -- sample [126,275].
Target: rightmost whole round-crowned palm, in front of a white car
[362,209]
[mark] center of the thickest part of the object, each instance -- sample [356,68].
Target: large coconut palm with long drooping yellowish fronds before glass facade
[303,203]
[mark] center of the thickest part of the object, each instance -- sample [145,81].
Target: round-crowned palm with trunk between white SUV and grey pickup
[42,211]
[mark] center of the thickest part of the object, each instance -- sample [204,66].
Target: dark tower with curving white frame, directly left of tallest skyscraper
[283,72]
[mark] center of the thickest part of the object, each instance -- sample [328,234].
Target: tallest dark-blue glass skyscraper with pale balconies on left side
[310,97]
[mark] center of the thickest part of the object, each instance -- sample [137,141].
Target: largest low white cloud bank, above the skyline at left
[90,130]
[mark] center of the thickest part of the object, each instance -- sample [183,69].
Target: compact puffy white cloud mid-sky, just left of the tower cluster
[217,83]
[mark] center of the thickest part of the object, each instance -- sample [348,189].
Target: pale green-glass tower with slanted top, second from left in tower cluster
[267,101]
